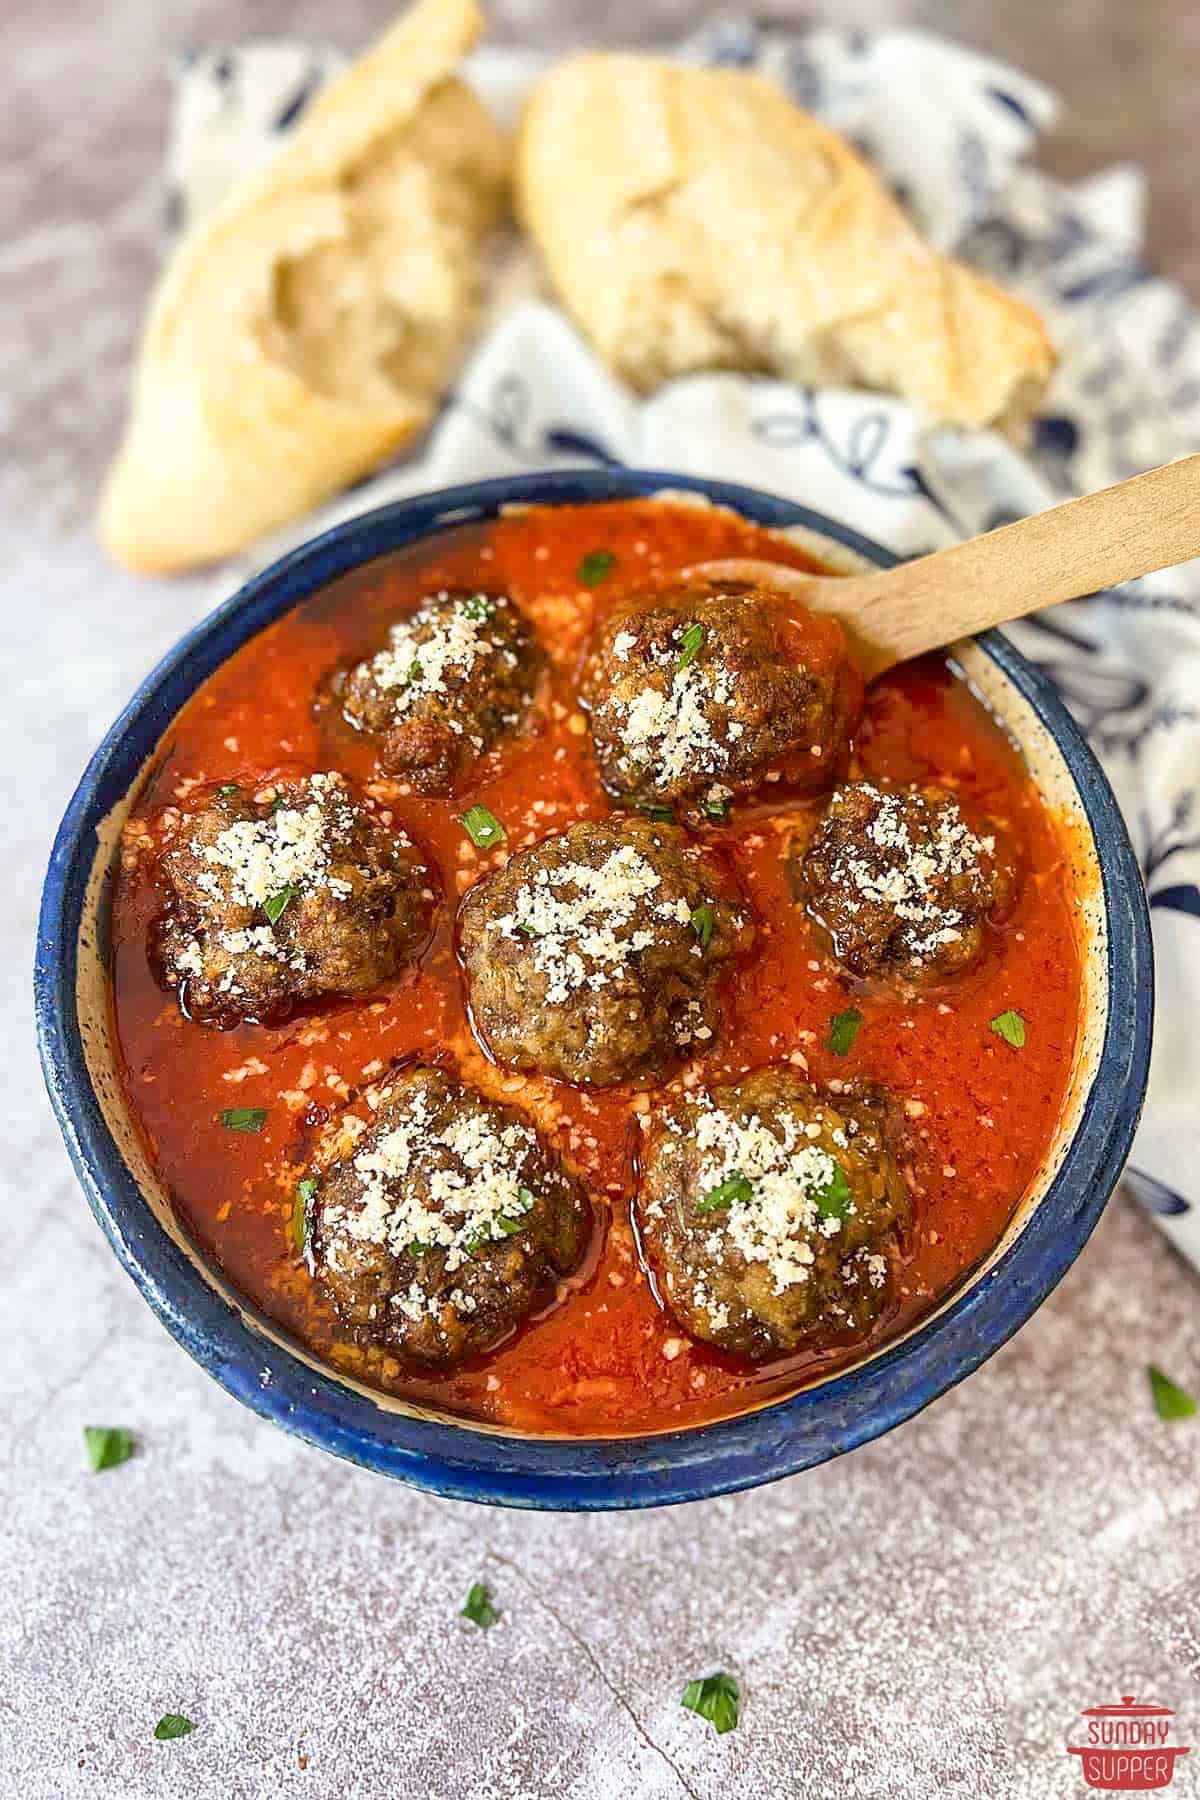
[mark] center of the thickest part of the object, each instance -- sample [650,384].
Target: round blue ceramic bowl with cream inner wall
[255,1362]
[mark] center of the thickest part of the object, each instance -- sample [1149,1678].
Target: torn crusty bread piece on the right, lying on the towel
[695,219]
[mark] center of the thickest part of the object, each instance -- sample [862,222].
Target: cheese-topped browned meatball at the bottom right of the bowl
[771,1216]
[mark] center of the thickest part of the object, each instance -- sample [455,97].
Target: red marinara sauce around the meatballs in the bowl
[605,1358]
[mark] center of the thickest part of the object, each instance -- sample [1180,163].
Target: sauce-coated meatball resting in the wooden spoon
[704,692]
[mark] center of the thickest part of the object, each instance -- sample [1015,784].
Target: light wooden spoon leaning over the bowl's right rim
[1138,526]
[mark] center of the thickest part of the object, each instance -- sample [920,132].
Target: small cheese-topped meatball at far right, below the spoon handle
[900,883]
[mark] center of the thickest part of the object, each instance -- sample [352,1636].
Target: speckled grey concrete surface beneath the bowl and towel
[927,1617]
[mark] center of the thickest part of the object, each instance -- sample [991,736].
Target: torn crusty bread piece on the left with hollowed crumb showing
[305,332]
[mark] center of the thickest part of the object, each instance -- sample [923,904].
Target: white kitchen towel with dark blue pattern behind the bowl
[951,132]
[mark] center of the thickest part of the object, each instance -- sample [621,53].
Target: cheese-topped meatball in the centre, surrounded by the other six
[596,955]
